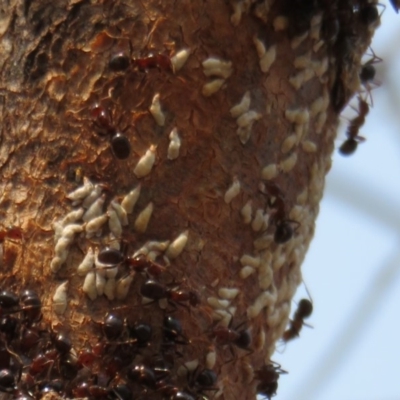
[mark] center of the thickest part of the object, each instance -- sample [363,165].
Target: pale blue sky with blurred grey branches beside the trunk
[353,266]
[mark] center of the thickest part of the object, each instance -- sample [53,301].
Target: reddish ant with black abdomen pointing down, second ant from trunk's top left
[104,125]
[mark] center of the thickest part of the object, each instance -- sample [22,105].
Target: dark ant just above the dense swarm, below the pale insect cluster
[156,291]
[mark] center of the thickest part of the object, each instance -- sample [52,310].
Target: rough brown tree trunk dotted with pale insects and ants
[230,143]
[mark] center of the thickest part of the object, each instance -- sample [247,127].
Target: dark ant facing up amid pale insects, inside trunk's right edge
[283,225]
